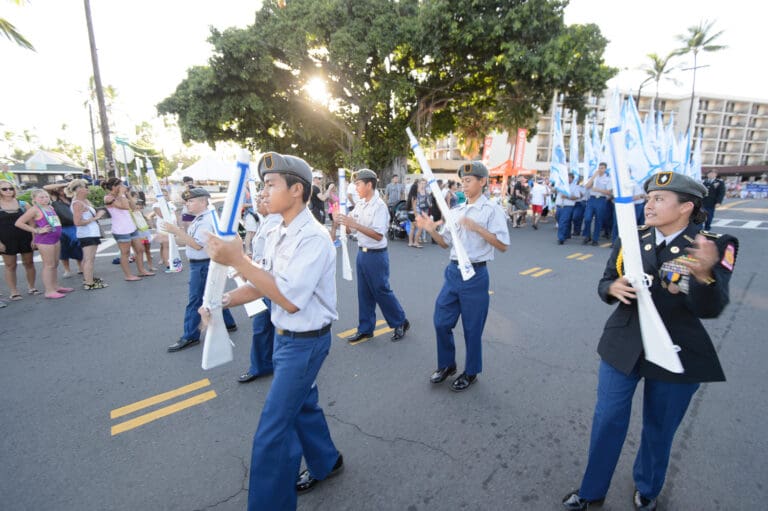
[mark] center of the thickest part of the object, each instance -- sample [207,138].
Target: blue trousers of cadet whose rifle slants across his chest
[470,300]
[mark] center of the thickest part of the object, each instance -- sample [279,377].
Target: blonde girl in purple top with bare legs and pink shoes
[42,221]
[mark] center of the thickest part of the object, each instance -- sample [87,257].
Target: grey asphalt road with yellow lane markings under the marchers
[517,439]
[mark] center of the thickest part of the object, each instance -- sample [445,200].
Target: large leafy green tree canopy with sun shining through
[441,66]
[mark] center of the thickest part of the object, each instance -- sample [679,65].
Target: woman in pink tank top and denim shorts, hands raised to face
[120,204]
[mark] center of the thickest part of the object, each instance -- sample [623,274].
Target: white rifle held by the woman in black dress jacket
[657,344]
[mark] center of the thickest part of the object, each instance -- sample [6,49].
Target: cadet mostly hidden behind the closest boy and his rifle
[263,329]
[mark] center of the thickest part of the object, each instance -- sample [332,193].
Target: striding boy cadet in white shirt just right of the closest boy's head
[370,220]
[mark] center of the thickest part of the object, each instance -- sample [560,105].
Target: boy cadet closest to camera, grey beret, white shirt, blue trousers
[298,275]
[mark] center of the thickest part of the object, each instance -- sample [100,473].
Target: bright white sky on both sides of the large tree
[146,46]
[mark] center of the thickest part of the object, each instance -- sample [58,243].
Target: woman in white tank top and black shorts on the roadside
[86,218]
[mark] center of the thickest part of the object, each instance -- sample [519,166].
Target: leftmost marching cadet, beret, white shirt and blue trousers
[196,237]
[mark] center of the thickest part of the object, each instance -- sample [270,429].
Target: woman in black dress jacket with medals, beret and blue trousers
[690,273]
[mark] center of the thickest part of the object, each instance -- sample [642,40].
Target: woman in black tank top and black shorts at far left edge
[15,241]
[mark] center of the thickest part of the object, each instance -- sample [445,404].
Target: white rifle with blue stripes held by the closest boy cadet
[218,346]
